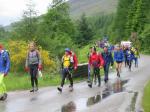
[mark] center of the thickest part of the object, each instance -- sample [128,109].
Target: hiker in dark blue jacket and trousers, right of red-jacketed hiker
[108,59]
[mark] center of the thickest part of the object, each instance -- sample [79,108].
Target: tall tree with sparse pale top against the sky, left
[26,28]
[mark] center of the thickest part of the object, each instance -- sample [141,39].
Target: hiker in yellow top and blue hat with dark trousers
[66,72]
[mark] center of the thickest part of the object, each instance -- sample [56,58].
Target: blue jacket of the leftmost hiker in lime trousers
[4,62]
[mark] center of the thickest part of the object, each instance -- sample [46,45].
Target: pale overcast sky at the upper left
[12,10]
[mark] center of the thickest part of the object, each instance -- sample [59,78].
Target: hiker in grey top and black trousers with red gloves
[33,64]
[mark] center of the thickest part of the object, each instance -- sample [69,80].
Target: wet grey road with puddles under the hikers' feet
[116,96]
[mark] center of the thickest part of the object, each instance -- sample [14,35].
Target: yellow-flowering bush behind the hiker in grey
[18,52]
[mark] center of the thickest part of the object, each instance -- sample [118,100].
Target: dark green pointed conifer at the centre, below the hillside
[85,32]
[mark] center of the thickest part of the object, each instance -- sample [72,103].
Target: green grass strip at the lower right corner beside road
[146,98]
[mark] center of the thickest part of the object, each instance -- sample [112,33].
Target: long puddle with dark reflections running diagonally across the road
[83,103]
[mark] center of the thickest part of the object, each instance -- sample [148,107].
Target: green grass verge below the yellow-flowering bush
[22,81]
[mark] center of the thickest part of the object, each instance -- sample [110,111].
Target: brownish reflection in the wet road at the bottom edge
[70,107]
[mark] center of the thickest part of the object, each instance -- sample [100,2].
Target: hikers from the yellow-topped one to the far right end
[97,61]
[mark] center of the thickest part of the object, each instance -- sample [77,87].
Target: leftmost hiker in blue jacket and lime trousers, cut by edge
[4,69]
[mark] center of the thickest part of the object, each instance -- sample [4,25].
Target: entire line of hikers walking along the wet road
[96,61]
